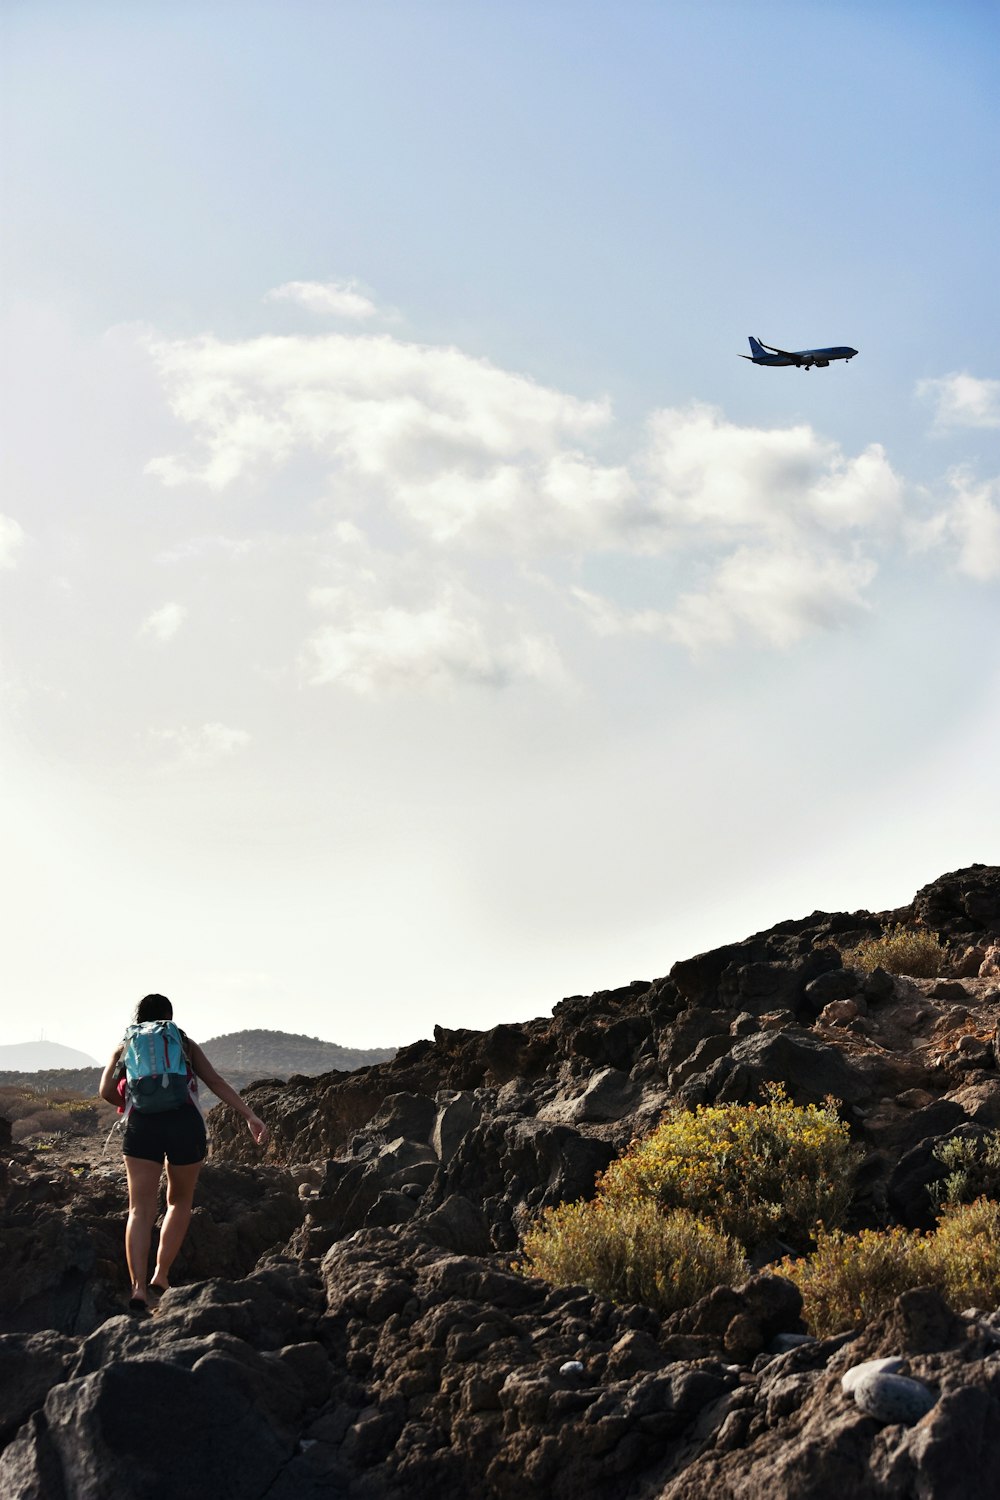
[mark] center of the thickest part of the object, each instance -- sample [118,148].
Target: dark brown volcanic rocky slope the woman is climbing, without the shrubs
[349,1322]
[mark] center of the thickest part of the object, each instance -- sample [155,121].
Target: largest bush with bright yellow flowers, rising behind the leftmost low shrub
[756,1171]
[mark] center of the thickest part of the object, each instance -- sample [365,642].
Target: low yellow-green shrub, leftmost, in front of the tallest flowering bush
[632,1253]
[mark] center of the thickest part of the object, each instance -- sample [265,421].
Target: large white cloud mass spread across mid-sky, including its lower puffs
[476,460]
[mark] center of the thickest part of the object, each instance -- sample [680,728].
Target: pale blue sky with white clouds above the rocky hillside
[412,608]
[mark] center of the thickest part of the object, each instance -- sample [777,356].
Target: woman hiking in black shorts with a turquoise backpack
[154,1078]
